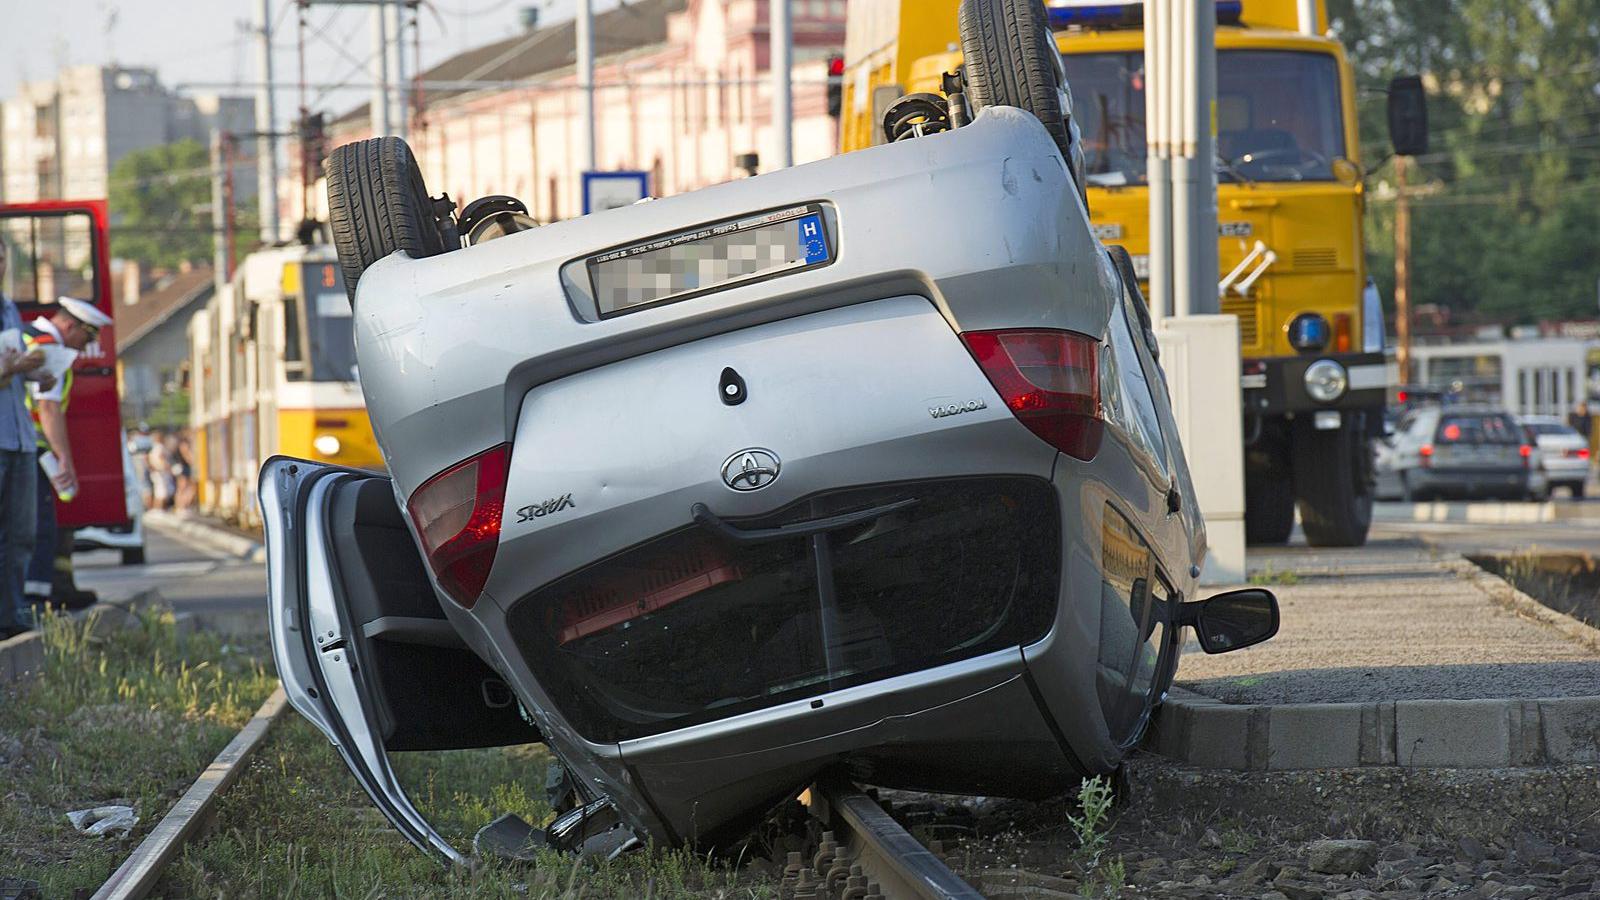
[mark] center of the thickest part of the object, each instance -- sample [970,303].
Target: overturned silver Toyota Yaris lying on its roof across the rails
[718,492]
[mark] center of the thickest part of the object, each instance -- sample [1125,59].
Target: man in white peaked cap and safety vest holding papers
[74,324]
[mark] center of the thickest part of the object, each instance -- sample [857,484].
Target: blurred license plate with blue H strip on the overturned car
[710,259]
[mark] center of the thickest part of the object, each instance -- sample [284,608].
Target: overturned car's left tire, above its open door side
[378,204]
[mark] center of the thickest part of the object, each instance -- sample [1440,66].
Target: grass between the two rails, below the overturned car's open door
[298,826]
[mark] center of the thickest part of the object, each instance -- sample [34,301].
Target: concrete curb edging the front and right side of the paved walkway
[1433,734]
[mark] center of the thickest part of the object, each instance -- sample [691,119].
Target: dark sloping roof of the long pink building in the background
[630,26]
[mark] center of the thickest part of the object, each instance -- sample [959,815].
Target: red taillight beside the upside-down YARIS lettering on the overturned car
[458,515]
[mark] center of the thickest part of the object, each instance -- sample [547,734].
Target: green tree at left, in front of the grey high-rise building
[161,201]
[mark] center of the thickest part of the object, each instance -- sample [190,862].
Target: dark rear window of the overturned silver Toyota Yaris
[694,627]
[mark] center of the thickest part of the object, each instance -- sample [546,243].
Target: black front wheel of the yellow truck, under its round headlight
[1335,483]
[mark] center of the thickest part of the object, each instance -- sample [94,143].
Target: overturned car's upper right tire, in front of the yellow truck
[1010,58]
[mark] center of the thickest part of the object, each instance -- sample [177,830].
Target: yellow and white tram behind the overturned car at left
[274,372]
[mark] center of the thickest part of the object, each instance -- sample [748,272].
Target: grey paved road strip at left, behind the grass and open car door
[191,577]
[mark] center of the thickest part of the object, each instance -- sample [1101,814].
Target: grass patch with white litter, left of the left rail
[118,717]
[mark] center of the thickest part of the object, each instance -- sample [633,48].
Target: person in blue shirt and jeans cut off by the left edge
[18,468]
